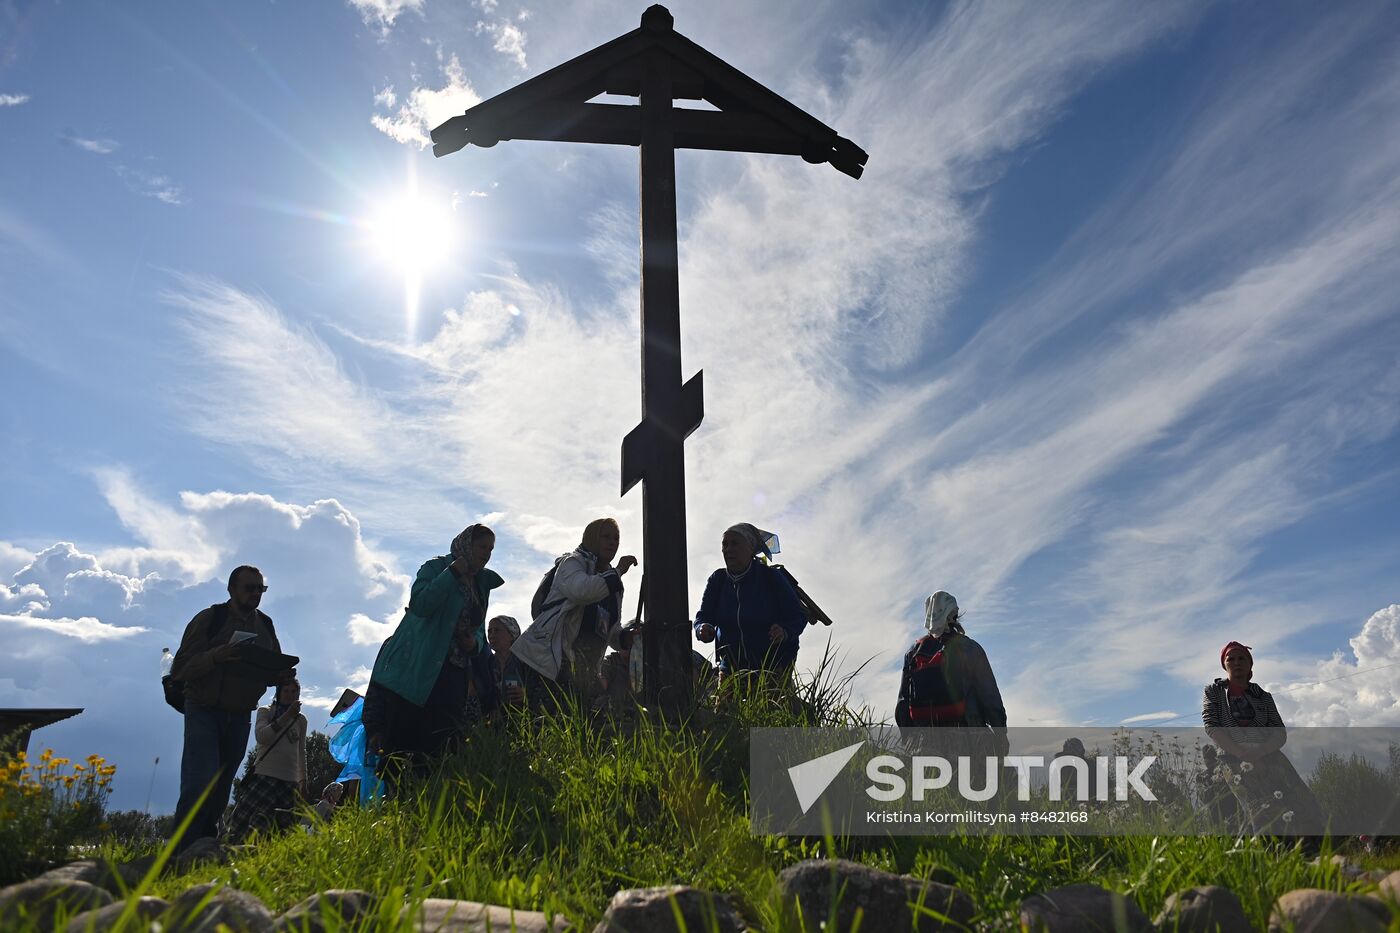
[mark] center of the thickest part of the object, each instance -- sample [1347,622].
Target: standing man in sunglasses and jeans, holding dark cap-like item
[219,697]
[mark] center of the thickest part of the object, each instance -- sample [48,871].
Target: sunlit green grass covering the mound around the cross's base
[558,815]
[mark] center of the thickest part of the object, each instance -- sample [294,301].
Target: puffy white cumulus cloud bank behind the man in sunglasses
[79,634]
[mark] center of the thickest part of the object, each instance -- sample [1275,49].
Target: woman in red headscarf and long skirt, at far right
[1241,718]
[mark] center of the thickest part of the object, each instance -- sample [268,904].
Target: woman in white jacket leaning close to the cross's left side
[580,618]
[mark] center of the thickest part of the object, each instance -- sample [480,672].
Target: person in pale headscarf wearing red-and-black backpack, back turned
[948,679]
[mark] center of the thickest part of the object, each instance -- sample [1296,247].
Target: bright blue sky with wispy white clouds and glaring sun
[1105,341]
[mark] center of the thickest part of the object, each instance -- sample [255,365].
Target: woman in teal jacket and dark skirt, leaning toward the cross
[429,673]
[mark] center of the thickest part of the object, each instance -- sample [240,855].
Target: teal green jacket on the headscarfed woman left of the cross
[412,658]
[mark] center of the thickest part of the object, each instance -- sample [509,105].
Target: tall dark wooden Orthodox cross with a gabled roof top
[659,67]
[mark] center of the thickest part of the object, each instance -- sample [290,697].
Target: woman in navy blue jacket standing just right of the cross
[750,609]
